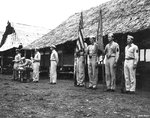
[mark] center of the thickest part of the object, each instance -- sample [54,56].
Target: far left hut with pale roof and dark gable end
[16,34]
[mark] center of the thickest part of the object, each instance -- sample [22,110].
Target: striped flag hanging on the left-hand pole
[80,40]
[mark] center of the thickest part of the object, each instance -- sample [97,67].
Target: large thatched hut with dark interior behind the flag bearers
[121,17]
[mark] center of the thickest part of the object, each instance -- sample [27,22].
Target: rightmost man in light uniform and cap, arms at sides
[130,64]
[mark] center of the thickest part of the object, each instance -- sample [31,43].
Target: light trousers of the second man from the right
[110,72]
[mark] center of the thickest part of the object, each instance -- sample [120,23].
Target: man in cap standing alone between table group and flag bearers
[53,65]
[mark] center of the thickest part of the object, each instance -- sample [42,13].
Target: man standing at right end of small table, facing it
[36,65]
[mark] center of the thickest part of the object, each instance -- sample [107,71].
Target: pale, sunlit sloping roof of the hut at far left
[25,34]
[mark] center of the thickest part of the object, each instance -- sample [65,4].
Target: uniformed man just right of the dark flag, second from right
[111,56]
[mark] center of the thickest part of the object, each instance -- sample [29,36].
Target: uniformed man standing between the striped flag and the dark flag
[92,51]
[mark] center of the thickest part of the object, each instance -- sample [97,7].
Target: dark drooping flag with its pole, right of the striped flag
[100,42]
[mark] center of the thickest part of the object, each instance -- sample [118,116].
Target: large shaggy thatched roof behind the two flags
[119,16]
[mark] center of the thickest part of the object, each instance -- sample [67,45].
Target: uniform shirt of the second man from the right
[112,50]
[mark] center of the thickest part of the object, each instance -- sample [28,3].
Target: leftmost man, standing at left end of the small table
[16,64]
